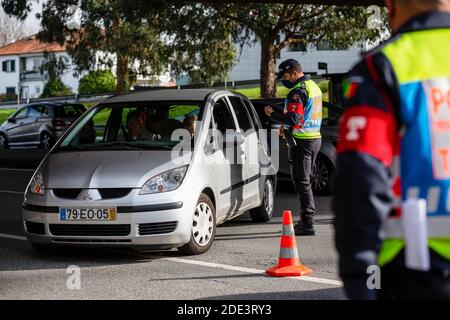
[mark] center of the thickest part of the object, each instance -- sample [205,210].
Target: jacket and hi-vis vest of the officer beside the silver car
[303,109]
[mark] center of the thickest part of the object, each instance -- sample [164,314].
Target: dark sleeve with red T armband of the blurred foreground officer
[362,185]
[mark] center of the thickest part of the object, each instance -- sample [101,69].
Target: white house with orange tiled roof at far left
[20,64]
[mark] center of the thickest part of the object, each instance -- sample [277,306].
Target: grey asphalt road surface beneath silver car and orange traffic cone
[232,269]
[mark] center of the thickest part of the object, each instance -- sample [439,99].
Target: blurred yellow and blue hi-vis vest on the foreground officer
[420,62]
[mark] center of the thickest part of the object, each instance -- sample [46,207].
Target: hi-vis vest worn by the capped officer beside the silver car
[311,122]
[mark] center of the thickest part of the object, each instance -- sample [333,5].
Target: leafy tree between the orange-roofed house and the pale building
[114,28]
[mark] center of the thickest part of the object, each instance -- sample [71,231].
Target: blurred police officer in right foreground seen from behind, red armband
[394,150]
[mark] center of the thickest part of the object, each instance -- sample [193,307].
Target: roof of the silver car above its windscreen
[162,95]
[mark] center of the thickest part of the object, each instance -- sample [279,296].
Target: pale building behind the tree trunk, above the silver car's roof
[248,66]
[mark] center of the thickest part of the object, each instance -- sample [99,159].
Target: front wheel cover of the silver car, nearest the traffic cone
[203,224]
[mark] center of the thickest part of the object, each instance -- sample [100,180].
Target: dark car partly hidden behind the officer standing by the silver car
[325,164]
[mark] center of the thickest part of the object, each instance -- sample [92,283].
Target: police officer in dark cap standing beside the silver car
[303,115]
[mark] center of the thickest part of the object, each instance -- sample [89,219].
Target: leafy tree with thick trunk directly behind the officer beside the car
[277,26]
